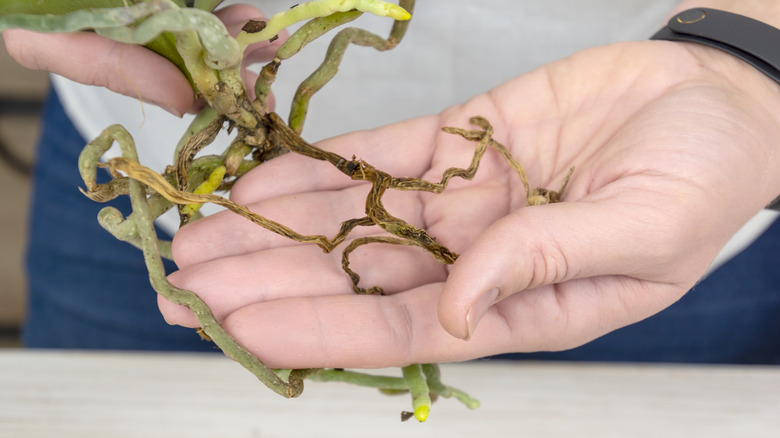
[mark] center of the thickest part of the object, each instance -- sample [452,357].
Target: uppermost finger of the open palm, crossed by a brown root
[402,149]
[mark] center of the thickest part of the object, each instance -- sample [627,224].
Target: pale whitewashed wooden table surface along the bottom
[109,394]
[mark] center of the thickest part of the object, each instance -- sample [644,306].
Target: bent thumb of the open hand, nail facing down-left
[554,243]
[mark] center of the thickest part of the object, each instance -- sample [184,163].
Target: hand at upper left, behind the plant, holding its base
[125,68]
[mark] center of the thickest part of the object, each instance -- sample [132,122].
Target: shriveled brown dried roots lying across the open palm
[401,232]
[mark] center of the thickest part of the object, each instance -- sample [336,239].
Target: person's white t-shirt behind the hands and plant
[433,64]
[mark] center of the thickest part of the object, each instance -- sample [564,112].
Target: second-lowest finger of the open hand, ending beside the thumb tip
[276,274]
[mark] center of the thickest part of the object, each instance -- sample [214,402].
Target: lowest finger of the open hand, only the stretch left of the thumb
[350,331]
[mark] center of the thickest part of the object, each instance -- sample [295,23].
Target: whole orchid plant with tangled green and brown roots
[189,35]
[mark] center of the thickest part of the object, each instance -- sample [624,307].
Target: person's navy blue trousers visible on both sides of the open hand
[88,290]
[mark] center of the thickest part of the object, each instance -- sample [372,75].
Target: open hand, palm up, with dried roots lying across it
[671,159]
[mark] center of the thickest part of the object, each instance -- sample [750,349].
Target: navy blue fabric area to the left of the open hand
[86,289]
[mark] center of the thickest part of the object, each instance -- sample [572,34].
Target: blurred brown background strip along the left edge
[21,95]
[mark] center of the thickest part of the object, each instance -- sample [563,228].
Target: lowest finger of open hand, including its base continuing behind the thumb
[352,331]
